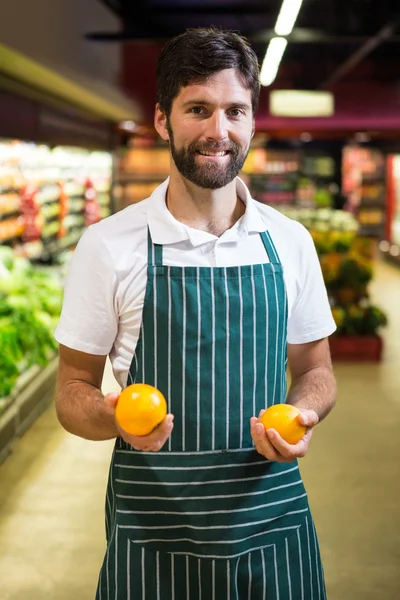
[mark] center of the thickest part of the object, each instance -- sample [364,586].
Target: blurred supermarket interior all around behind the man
[77,143]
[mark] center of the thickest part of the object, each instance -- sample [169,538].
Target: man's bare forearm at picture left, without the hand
[81,410]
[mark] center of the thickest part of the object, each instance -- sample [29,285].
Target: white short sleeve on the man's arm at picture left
[89,321]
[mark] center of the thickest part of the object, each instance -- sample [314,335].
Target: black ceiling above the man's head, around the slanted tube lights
[333,42]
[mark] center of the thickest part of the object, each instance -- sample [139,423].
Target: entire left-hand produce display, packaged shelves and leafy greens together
[49,195]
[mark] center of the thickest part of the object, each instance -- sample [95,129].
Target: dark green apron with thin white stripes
[207,517]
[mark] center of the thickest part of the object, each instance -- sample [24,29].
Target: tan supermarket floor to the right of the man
[352,472]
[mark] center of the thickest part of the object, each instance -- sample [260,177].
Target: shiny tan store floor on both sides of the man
[52,489]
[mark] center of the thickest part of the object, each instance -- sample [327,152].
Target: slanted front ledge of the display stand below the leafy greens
[32,393]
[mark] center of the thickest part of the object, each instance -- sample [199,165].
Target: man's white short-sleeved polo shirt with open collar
[107,276]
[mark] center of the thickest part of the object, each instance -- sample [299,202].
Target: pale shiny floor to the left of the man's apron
[51,512]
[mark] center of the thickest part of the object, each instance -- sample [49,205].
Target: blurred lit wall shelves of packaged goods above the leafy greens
[48,196]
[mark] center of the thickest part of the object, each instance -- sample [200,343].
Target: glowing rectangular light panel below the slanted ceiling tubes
[301,103]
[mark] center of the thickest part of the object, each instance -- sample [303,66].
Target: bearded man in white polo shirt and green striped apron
[203,293]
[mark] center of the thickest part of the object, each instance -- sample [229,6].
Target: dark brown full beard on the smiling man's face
[209,175]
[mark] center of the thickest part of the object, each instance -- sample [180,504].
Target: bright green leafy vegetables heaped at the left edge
[30,305]
